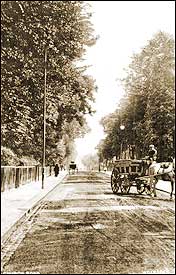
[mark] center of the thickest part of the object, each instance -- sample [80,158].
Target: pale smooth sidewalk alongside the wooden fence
[17,201]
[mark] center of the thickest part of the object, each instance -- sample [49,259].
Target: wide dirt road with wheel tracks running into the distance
[81,227]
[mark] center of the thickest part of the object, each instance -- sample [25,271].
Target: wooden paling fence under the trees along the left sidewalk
[14,176]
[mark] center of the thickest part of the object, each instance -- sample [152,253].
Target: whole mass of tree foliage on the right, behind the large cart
[148,108]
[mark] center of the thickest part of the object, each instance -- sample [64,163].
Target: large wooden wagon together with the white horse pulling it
[128,172]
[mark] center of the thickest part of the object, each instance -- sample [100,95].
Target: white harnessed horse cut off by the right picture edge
[164,171]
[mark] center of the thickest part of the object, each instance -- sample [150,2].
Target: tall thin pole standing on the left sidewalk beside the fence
[44,122]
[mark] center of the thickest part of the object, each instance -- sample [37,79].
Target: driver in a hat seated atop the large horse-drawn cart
[152,156]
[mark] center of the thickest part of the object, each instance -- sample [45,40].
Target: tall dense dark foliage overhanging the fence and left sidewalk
[29,30]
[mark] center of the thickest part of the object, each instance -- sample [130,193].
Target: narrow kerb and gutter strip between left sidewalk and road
[30,206]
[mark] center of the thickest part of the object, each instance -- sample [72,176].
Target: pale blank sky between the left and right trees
[124,28]
